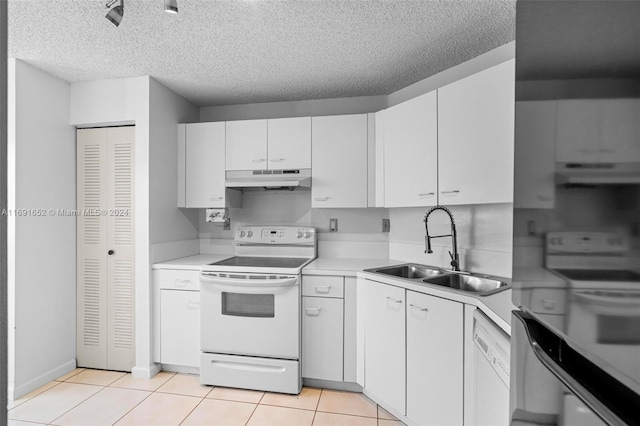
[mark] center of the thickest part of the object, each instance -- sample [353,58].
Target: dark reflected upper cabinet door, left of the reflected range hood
[535,154]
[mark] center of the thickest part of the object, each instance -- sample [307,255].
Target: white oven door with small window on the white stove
[250,314]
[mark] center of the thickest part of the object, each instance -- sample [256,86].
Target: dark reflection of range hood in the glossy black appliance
[598,173]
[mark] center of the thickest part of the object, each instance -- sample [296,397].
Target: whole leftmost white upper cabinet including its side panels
[201,166]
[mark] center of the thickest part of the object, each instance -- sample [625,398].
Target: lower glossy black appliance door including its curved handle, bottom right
[552,383]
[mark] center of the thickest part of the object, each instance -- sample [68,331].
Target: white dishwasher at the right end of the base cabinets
[491,351]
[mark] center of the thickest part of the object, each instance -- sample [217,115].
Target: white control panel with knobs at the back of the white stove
[276,235]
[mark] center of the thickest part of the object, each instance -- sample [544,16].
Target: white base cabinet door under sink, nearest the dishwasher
[434,360]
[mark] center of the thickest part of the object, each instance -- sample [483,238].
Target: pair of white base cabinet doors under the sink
[413,353]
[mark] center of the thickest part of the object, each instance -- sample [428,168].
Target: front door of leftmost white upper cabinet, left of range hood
[204,165]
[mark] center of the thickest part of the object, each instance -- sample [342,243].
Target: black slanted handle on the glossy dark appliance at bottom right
[612,401]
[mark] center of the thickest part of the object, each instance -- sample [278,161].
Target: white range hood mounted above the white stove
[270,179]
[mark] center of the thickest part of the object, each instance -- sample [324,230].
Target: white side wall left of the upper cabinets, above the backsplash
[166,221]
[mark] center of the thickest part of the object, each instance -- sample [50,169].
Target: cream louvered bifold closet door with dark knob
[105,248]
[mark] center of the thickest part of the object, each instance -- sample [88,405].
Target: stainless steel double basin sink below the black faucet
[466,282]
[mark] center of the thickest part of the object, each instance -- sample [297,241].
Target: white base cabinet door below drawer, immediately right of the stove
[322,338]
